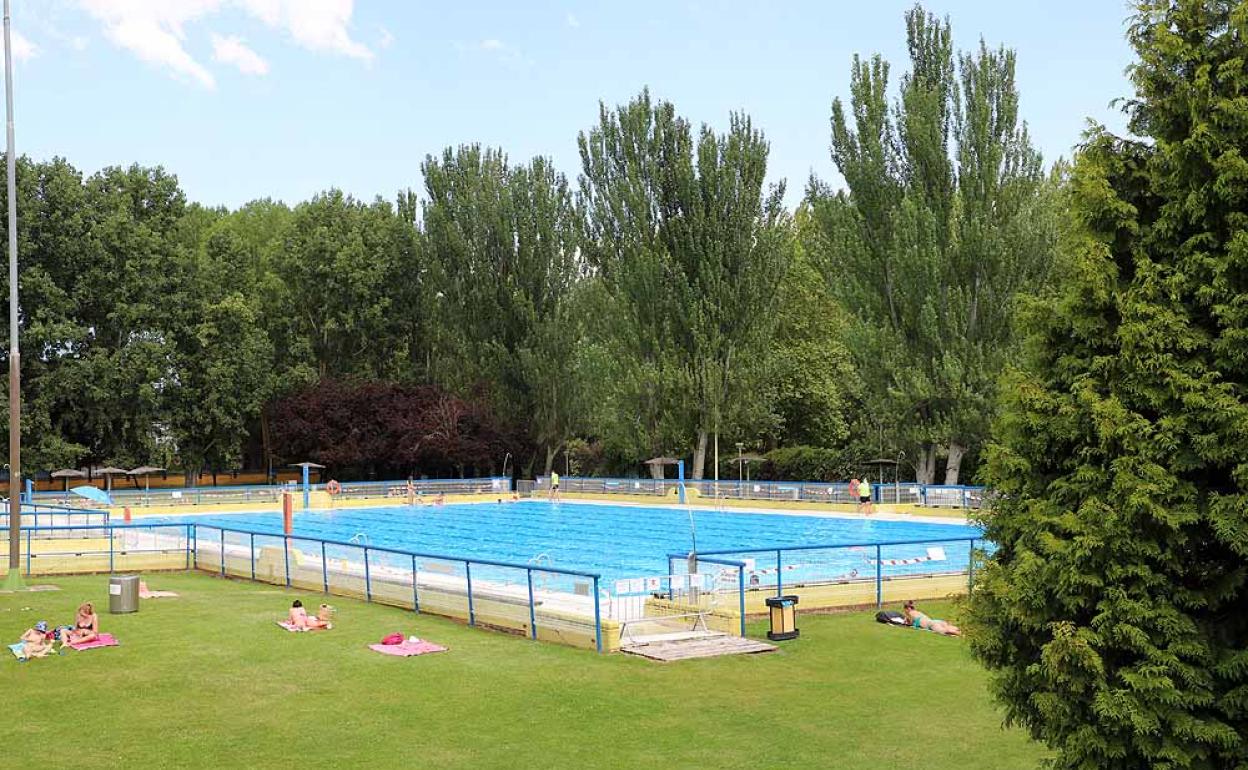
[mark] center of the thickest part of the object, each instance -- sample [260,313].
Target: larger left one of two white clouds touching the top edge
[153,31]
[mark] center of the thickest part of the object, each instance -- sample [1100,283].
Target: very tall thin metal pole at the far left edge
[14,580]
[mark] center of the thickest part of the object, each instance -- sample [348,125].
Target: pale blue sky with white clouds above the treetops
[246,99]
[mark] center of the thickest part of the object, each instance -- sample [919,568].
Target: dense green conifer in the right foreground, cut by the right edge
[1113,613]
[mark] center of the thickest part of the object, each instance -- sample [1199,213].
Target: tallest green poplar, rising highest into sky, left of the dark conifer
[947,220]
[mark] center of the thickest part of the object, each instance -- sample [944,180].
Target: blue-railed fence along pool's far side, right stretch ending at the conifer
[812,492]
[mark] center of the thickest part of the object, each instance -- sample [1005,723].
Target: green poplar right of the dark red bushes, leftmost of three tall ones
[504,243]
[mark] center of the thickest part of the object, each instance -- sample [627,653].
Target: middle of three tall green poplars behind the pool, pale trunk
[692,250]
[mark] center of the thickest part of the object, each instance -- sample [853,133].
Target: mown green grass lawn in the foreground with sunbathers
[208,681]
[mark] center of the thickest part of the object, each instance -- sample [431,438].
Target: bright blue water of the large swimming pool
[625,541]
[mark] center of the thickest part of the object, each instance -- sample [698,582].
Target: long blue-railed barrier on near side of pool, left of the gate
[542,602]
